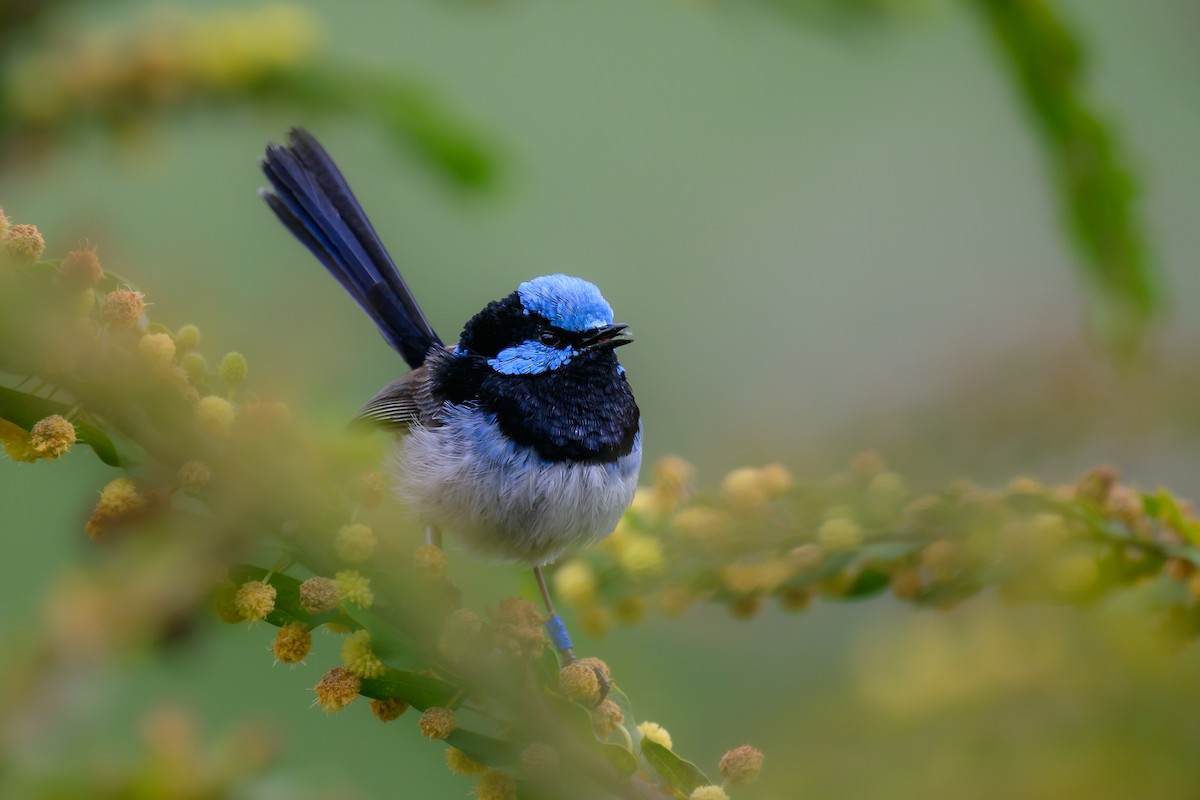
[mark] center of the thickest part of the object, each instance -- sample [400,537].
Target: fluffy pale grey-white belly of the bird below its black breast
[505,501]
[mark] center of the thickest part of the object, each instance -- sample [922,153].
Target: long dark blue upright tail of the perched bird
[314,201]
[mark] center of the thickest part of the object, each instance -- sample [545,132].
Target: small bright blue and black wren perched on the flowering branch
[524,440]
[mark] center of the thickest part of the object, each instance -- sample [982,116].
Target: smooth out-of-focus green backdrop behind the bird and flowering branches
[829,234]
